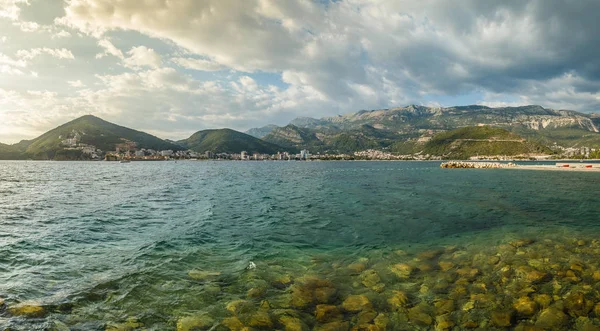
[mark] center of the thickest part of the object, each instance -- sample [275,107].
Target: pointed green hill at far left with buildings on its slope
[89,130]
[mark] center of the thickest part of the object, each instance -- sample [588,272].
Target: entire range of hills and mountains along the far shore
[403,130]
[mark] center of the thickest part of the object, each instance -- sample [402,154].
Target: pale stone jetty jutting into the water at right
[559,166]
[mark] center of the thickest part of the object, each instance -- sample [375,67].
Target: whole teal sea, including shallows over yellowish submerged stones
[278,245]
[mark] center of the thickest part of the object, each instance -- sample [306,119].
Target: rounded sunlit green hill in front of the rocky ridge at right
[481,140]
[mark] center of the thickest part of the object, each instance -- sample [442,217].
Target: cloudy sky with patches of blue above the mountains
[173,67]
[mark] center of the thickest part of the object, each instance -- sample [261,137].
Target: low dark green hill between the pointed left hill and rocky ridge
[227,141]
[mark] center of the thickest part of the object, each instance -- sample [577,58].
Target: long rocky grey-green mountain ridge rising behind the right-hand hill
[394,128]
